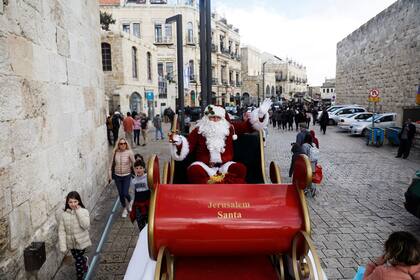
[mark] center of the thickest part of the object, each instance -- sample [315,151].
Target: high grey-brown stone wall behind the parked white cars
[383,53]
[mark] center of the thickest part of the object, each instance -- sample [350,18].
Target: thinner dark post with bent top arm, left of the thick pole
[180,60]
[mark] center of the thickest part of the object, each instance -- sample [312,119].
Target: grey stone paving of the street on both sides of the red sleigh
[359,203]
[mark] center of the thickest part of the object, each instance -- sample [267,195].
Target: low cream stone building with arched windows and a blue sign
[131,75]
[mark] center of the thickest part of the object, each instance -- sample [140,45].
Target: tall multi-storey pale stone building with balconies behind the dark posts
[146,21]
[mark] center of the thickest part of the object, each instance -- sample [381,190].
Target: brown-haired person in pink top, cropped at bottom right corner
[400,261]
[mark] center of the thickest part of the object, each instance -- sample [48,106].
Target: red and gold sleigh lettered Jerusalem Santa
[232,231]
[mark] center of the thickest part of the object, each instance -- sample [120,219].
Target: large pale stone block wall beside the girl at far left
[52,116]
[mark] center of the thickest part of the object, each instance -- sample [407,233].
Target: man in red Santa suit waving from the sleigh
[211,143]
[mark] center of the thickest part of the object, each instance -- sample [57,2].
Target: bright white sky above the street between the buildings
[306,31]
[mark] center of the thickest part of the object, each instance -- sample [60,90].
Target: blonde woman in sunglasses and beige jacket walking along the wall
[120,171]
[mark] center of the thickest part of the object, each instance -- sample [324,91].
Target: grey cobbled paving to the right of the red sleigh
[360,201]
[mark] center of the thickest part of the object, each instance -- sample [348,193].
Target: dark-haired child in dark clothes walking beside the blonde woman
[140,209]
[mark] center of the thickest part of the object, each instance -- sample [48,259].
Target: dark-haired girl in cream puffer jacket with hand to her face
[73,232]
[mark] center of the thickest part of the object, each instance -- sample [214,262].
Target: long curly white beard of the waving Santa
[215,134]
